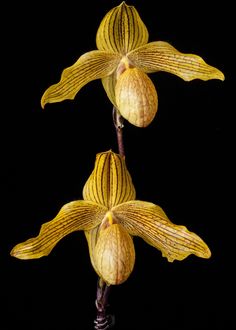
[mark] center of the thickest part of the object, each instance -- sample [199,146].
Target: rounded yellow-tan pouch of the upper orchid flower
[136,97]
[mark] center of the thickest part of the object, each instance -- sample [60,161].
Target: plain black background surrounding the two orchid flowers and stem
[183,162]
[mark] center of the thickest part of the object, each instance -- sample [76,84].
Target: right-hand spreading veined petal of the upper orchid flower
[161,56]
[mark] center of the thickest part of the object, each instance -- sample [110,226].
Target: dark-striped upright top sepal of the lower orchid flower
[110,182]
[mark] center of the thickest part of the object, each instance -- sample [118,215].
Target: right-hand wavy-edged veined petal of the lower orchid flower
[149,221]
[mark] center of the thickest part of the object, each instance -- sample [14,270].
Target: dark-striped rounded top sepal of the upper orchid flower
[121,30]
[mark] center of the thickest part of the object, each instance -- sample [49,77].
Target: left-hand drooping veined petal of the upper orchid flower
[90,66]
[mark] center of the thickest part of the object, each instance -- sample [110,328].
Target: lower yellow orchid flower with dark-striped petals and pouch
[110,217]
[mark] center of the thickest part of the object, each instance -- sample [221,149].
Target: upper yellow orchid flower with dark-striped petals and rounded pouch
[122,61]
